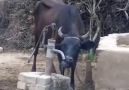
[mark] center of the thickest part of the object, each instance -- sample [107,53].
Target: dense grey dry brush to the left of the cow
[16,22]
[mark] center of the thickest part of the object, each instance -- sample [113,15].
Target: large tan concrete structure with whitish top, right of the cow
[112,69]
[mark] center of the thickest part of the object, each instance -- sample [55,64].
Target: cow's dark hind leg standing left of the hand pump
[35,54]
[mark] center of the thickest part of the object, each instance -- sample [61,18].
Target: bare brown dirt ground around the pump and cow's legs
[12,63]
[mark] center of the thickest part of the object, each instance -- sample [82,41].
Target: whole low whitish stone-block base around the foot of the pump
[38,81]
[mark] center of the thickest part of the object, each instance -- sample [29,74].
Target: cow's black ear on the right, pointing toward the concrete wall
[87,45]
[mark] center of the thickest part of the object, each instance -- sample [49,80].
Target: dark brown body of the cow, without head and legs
[66,16]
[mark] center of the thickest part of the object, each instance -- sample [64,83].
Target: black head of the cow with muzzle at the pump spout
[71,46]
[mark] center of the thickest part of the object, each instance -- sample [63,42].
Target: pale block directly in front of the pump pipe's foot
[44,80]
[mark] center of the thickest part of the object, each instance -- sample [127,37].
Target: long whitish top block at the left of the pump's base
[29,77]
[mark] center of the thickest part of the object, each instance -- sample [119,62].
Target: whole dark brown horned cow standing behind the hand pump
[69,40]
